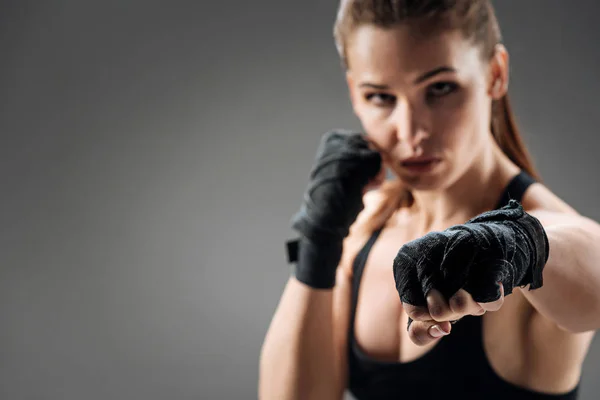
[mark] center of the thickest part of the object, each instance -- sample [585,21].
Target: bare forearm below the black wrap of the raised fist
[304,352]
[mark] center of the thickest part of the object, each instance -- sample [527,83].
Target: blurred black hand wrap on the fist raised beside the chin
[344,165]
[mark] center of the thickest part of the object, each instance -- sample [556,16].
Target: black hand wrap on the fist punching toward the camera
[506,245]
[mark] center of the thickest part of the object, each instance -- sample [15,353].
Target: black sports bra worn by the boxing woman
[456,368]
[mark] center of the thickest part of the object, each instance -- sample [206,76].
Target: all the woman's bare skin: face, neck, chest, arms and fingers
[432,97]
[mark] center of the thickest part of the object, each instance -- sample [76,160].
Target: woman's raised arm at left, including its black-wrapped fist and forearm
[303,355]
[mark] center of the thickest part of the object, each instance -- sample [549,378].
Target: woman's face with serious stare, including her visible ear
[424,102]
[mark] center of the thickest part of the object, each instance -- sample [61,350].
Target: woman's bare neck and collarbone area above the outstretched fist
[476,191]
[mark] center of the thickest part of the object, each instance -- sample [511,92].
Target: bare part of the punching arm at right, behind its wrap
[570,295]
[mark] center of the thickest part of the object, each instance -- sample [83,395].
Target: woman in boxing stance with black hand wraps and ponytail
[428,80]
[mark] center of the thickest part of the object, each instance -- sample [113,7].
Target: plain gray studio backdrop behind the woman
[151,157]
